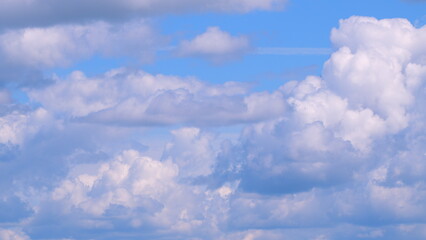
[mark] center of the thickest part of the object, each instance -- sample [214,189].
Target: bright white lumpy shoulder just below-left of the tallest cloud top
[313,103]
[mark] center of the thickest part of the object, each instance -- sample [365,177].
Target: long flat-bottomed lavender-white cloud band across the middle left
[127,97]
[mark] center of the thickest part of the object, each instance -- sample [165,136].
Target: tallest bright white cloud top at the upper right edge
[384,66]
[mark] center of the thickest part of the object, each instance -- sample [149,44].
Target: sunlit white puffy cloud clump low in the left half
[117,183]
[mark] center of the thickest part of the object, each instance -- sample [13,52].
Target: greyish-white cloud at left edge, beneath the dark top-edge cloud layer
[26,53]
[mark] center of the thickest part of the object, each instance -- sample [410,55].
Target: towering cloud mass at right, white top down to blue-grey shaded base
[347,152]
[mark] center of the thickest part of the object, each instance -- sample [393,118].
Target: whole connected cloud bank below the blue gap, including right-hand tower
[341,156]
